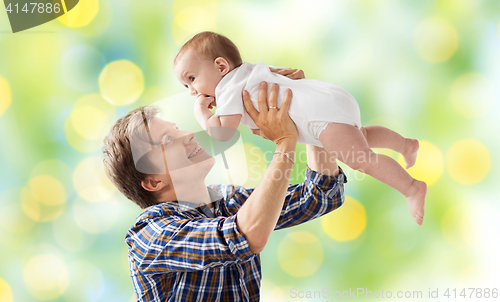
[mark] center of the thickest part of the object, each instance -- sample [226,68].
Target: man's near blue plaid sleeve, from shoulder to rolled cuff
[169,243]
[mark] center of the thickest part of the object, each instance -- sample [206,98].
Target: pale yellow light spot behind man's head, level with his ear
[91,182]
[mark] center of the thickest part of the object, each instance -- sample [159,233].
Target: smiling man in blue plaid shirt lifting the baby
[193,243]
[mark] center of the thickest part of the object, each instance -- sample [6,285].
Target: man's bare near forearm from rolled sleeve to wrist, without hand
[258,216]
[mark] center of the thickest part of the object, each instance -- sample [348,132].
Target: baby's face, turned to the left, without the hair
[200,76]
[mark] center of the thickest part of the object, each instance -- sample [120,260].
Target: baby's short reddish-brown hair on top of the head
[209,45]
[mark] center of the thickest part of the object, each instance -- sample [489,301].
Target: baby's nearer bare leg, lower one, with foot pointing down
[348,145]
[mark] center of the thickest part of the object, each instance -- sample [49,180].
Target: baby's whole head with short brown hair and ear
[204,60]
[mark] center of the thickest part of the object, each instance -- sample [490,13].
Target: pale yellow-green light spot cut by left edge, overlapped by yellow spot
[12,217]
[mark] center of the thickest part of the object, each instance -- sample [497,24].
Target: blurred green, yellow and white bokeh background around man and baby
[396,57]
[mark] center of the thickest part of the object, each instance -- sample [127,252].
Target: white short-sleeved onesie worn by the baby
[314,103]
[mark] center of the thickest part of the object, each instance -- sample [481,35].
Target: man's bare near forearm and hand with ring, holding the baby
[258,216]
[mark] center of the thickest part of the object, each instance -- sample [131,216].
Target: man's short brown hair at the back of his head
[118,158]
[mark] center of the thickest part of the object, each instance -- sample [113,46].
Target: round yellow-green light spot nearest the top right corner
[435,40]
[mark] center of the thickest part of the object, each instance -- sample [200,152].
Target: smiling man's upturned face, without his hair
[185,159]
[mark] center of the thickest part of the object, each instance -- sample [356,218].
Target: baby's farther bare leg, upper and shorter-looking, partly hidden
[381,137]
